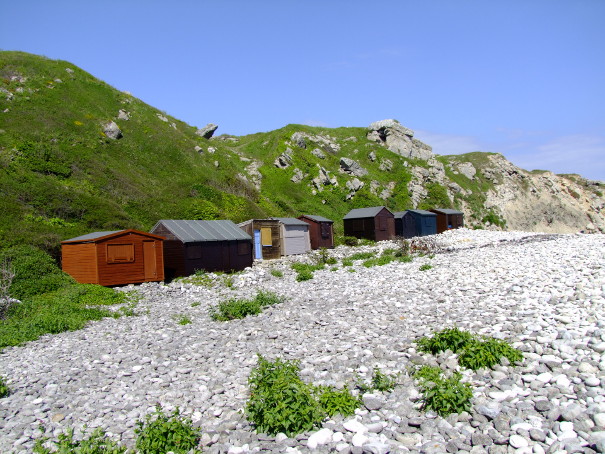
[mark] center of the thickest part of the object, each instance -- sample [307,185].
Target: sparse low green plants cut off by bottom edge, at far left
[96,443]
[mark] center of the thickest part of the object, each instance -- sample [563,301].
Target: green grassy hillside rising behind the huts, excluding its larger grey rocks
[60,176]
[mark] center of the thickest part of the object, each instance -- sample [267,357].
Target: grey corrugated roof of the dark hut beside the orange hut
[190,231]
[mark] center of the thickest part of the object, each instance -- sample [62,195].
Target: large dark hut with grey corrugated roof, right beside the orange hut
[192,245]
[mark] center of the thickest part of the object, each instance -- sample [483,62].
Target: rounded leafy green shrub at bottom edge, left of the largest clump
[160,433]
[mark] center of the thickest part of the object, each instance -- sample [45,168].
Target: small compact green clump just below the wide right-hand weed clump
[441,394]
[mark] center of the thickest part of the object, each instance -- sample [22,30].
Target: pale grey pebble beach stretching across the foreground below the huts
[543,293]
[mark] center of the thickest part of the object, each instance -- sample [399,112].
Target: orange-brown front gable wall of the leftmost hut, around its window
[131,272]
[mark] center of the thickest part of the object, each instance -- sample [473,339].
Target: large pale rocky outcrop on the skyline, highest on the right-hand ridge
[398,139]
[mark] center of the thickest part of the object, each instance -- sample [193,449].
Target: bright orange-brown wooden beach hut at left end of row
[117,257]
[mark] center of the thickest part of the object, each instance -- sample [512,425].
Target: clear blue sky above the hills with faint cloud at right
[525,78]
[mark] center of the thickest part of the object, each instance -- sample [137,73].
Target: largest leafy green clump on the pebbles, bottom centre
[281,402]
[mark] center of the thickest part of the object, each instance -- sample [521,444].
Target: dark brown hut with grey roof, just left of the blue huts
[374,223]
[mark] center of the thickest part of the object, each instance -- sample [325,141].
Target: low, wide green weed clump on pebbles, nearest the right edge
[473,352]
